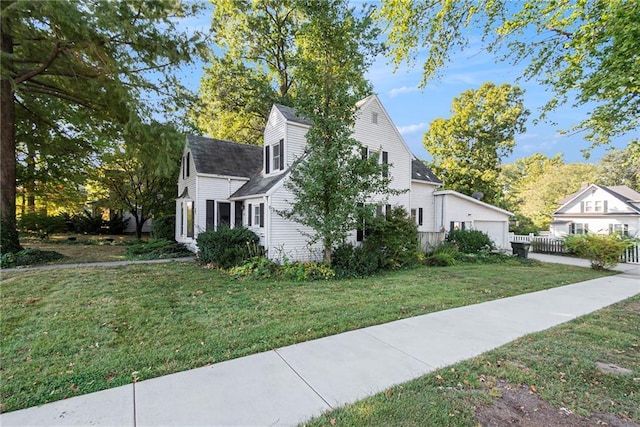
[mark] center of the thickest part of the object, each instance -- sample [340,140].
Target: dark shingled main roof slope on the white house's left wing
[218,157]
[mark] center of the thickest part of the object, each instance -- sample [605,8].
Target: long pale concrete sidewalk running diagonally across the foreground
[291,384]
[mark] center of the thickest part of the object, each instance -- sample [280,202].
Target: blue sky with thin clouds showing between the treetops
[412,108]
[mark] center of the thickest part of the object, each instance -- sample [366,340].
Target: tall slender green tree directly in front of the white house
[329,183]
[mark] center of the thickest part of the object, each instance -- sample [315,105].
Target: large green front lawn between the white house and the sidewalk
[70,332]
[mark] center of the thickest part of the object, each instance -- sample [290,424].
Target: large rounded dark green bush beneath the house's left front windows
[227,247]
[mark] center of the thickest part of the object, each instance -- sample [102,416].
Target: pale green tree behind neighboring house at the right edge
[621,167]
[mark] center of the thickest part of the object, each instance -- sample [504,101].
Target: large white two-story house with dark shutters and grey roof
[226,183]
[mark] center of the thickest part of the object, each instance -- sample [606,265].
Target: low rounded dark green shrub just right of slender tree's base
[351,261]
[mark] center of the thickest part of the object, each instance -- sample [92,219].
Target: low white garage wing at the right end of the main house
[458,211]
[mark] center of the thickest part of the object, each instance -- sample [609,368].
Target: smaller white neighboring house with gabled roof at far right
[598,209]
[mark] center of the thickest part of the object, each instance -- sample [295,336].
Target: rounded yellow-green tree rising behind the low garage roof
[467,149]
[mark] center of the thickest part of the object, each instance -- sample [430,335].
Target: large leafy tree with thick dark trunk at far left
[96,58]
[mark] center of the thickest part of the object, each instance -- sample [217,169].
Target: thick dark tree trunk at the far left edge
[8,233]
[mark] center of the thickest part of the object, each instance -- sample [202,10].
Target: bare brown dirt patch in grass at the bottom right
[520,406]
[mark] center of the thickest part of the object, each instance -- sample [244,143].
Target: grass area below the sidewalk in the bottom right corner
[559,364]
